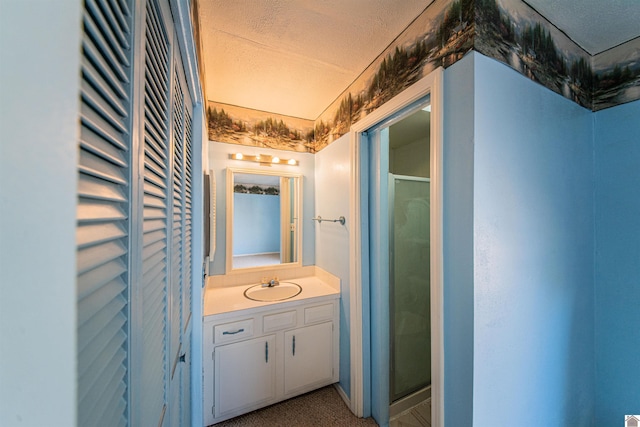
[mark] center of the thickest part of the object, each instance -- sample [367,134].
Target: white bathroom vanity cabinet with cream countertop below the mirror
[257,353]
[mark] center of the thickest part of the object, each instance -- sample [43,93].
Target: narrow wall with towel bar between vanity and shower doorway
[332,172]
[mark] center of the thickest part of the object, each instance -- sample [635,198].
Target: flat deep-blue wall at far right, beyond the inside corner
[617,271]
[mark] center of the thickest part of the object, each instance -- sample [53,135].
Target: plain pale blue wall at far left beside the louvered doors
[39,87]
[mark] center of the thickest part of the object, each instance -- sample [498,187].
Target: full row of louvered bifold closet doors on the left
[134,218]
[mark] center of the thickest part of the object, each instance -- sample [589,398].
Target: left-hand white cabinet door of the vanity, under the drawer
[244,375]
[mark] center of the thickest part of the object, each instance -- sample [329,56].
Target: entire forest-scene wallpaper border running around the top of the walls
[509,31]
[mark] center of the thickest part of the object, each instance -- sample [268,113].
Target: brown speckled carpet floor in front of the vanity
[320,408]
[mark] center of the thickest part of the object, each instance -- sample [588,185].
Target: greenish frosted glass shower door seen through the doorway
[409,282]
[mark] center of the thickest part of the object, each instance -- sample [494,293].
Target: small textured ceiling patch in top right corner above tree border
[595,25]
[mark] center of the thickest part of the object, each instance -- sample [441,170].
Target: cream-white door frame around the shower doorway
[432,85]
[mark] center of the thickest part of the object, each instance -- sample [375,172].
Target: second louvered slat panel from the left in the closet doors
[155,187]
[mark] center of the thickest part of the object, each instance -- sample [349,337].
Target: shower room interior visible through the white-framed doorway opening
[400,262]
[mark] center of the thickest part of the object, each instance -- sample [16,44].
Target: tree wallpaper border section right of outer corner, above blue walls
[515,34]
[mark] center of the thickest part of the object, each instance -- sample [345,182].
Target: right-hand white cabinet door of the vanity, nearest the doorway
[308,357]
